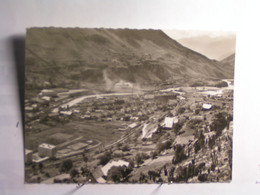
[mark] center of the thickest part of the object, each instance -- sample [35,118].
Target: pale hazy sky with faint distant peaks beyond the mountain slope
[214,45]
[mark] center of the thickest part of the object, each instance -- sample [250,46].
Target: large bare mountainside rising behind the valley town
[75,57]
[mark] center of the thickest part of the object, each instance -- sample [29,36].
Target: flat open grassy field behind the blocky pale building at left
[105,132]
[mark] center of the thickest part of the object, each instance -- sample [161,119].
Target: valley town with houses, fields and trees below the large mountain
[169,134]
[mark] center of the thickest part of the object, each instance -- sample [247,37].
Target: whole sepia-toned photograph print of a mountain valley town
[128,105]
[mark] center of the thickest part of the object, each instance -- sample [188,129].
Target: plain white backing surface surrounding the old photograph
[220,15]
